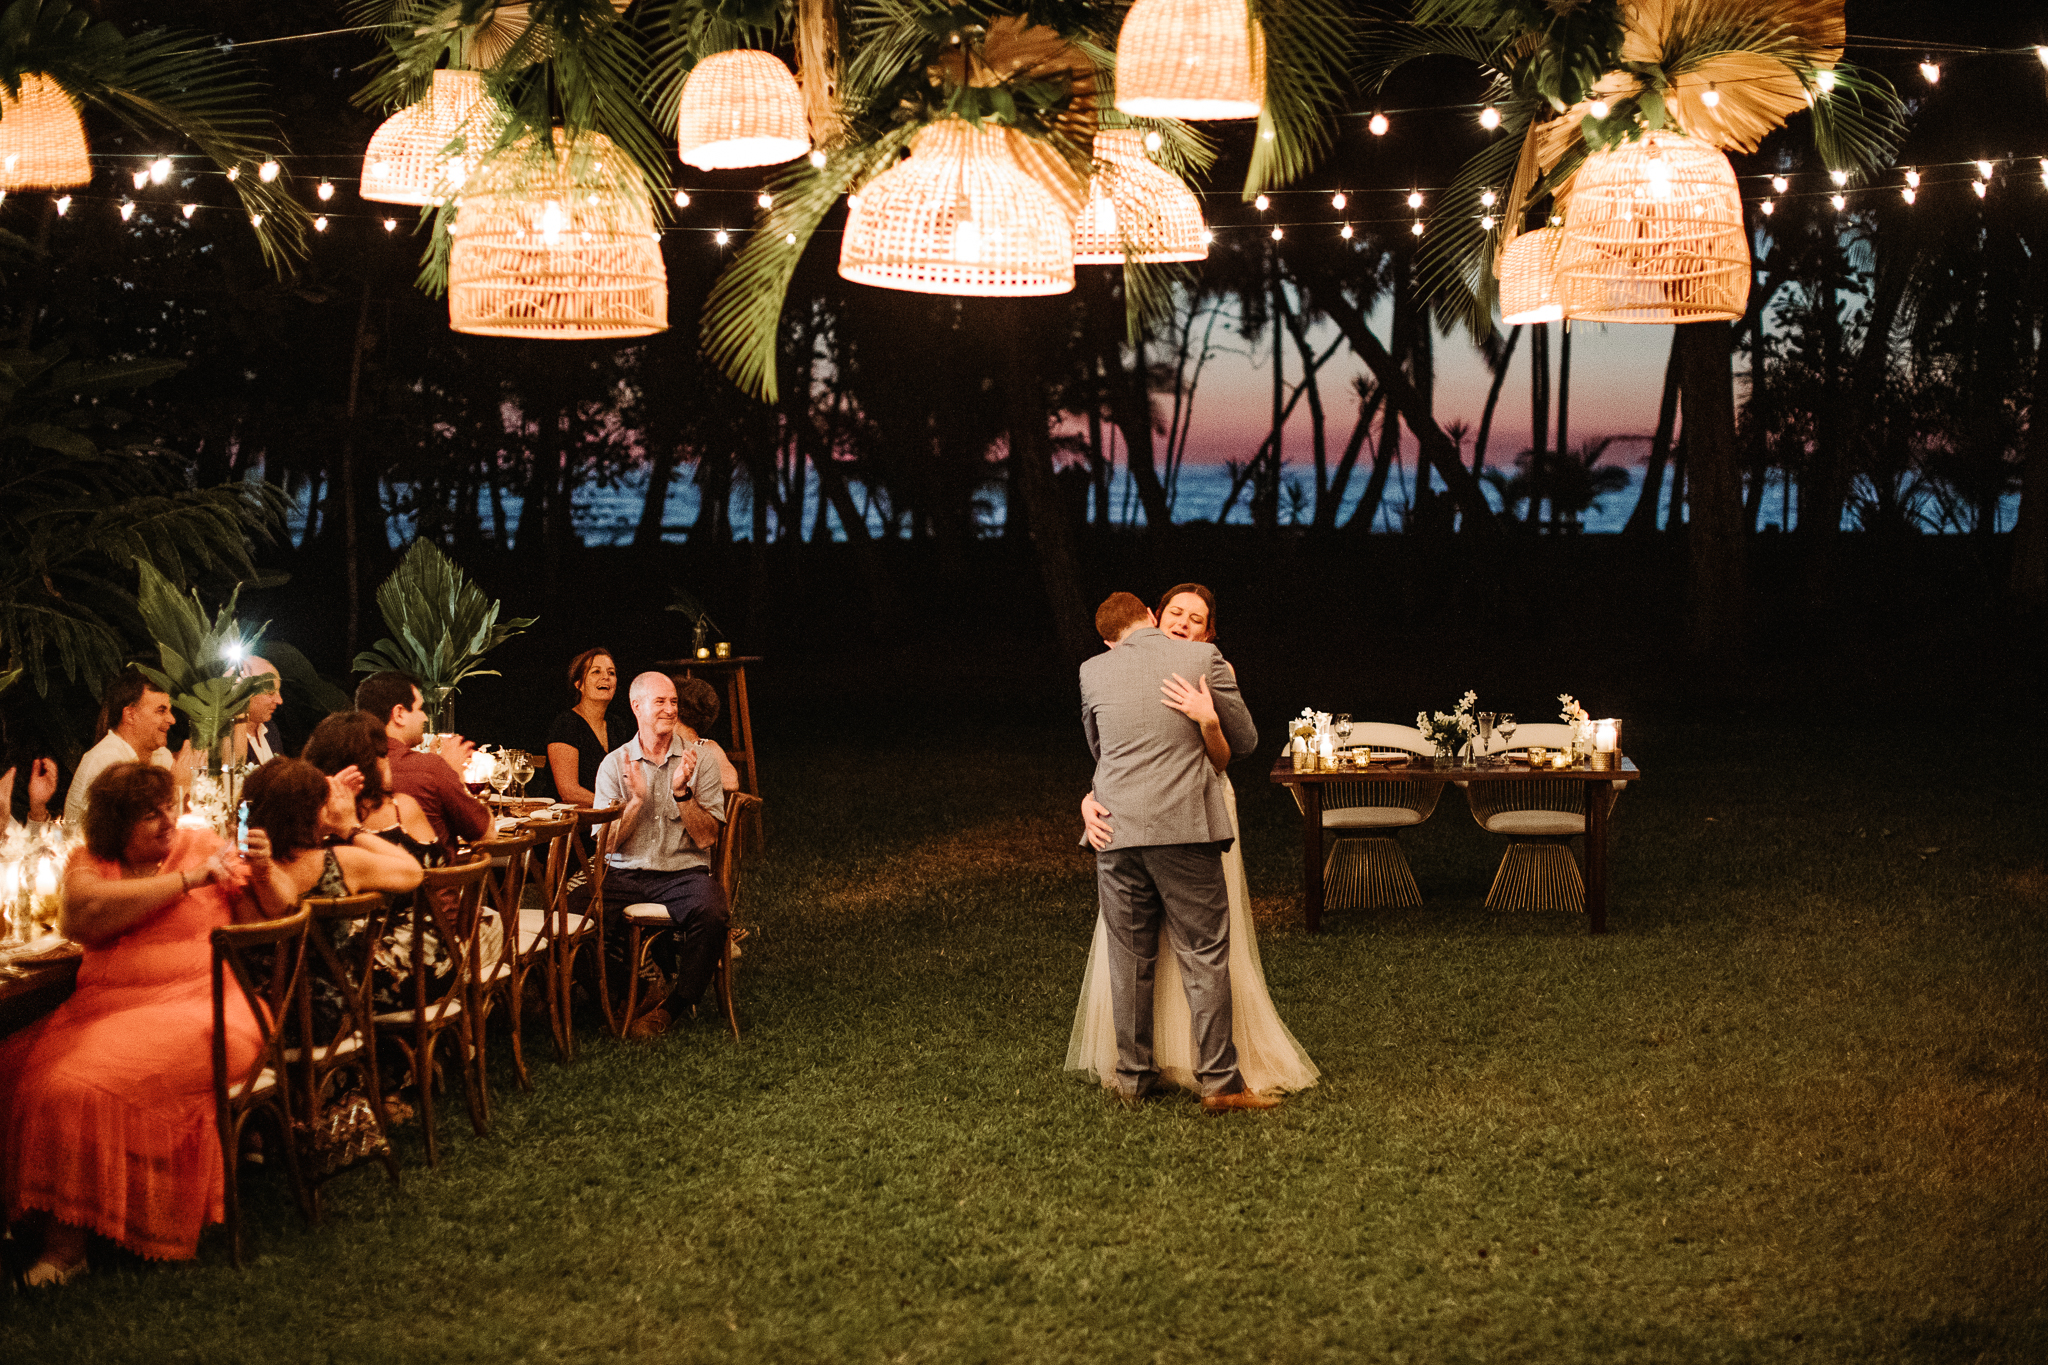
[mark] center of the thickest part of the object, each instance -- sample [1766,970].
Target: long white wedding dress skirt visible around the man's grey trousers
[1269,1057]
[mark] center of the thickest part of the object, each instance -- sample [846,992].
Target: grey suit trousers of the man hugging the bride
[1181,887]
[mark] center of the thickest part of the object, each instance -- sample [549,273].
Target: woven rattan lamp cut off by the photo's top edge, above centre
[1191,60]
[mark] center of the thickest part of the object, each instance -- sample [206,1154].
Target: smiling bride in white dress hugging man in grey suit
[1267,1053]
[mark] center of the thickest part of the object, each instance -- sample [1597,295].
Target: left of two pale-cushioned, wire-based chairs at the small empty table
[1363,824]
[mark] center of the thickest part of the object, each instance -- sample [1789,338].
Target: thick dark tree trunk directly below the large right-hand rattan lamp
[1715,541]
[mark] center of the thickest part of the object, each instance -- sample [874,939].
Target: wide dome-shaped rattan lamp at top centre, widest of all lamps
[959,216]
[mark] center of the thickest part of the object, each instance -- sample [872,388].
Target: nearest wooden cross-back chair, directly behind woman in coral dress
[263,963]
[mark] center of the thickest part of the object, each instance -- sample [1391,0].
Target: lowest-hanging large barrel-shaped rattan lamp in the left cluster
[558,247]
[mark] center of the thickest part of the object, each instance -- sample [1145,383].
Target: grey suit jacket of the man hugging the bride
[1152,770]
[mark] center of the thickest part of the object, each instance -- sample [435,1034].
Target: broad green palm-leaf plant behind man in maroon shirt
[441,629]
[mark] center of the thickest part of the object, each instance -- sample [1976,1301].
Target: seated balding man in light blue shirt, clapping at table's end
[673,809]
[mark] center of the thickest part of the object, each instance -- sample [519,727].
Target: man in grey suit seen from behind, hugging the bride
[1160,836]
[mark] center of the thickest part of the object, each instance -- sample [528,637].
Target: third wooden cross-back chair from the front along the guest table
[452,906]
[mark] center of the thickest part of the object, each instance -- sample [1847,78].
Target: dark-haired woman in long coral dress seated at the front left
[108,1104]
